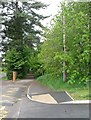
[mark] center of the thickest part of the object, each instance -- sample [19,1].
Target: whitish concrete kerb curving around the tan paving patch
[69,102]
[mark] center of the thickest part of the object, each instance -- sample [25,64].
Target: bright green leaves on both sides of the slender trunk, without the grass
[77,43]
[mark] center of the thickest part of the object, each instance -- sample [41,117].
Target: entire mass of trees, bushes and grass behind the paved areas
[62,61]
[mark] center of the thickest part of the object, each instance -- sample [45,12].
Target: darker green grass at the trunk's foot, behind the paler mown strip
[55,82]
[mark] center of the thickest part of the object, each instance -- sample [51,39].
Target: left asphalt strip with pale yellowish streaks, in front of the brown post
[11,94]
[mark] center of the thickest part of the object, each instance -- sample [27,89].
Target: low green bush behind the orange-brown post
[17,61]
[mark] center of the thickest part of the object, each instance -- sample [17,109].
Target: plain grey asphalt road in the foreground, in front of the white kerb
[39,110]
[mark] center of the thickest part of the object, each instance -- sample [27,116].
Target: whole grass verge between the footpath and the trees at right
[78,92]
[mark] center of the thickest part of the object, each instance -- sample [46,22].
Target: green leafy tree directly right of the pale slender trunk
[77,33]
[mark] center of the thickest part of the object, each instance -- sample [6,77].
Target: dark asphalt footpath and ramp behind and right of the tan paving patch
[37,89]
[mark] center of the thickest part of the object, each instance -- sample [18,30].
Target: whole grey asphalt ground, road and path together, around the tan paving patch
[20,106]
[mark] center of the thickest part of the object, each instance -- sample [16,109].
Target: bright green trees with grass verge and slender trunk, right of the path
[68,40]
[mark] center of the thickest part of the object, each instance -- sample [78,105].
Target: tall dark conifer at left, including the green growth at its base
[22,30]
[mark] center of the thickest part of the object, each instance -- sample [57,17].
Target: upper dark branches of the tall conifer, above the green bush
[22,23]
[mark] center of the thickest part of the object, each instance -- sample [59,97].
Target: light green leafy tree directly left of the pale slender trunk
[52,49]
